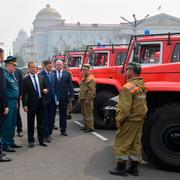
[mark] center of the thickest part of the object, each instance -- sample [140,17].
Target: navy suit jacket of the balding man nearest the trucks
[63,89]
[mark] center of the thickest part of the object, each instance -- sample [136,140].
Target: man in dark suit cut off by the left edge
[3,106]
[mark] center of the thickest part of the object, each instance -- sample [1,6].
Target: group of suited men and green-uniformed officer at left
[41,94]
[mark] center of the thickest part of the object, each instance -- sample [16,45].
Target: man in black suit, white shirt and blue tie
[33,91]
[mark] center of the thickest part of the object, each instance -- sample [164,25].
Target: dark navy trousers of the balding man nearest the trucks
[63,115]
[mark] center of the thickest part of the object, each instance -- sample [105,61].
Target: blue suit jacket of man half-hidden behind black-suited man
[49,97]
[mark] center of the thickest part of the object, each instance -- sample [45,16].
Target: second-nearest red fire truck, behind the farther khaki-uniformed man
[103,59]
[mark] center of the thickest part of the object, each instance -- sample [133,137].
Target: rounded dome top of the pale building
[48,11]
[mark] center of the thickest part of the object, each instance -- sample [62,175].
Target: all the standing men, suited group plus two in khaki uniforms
[51,88]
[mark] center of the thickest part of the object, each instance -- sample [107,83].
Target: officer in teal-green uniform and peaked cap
[12,96]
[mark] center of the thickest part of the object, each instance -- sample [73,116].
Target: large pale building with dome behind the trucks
[51,34]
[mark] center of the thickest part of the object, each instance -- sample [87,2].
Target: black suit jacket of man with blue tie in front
[29,96]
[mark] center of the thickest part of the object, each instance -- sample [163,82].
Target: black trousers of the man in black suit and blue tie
[38,113]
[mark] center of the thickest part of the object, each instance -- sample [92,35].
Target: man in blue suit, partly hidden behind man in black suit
[48,116]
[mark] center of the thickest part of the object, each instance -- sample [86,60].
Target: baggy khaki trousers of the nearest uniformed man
[128,141]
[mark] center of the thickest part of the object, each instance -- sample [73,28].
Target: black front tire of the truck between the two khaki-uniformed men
[100,102]
